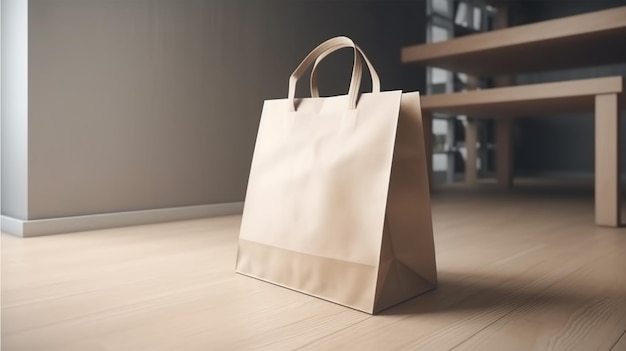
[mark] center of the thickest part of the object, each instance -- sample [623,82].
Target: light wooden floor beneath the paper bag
[518,271]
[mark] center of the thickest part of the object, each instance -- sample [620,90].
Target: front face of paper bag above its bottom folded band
[319,177]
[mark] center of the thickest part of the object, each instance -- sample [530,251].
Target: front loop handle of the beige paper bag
[313,56]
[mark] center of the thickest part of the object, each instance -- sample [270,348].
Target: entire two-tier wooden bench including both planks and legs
[583,40]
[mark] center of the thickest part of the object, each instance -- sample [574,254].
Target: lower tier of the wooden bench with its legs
[603,96]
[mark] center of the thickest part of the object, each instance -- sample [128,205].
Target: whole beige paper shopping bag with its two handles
[338,202]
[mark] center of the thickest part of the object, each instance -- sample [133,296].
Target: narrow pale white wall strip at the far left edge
[14,108]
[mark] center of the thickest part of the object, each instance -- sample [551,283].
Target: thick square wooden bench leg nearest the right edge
[607,170]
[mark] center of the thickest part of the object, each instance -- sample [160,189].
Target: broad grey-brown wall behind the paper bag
[142,104]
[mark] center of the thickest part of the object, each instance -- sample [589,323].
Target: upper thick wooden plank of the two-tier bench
[506,50]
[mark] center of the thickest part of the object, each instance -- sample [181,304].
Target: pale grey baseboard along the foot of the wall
[37,227]
